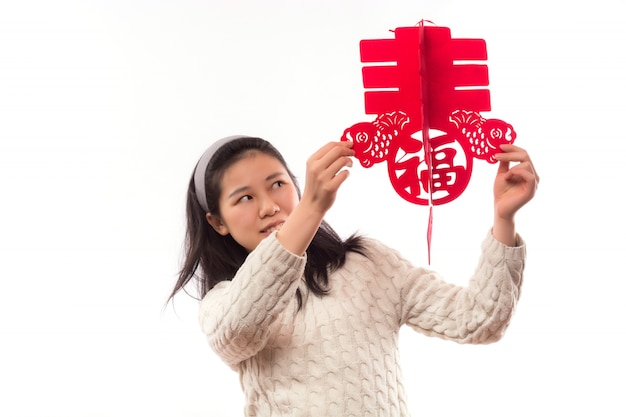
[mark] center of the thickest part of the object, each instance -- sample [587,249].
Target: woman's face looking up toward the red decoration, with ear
[257,196]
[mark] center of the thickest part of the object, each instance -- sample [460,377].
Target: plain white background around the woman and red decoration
[105,107]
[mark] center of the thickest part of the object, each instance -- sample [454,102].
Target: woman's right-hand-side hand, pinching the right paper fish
[515,185]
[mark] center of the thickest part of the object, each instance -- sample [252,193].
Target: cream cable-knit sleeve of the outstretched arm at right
[477,313]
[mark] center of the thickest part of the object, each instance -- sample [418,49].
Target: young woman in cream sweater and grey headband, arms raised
[310,321]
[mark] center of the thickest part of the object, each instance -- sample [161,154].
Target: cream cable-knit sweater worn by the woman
[338,355]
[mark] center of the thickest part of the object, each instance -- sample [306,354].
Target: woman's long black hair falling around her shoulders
[210,258]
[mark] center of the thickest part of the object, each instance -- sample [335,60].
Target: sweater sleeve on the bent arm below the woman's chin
[236,315]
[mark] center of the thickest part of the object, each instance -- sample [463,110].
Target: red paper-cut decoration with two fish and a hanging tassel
[427,101]
